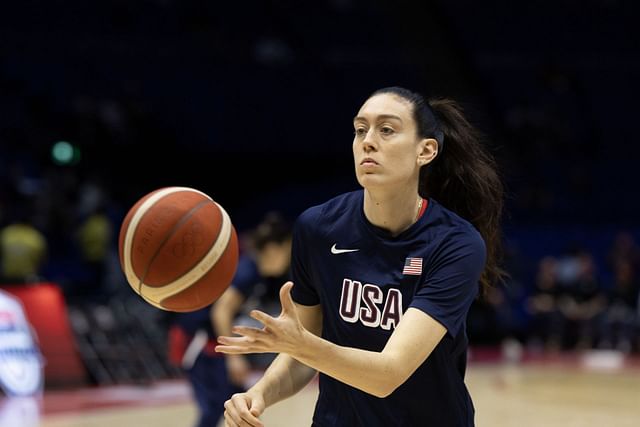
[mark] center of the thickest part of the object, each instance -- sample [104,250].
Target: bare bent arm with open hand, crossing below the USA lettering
[377,373]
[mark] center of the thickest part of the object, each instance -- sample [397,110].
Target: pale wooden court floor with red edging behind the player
[504,395]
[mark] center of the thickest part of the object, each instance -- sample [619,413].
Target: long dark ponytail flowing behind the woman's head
[463,178]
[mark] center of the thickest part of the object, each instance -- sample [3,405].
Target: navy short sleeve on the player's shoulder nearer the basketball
[303,291]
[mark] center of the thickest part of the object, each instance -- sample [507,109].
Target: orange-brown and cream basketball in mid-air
[178,249]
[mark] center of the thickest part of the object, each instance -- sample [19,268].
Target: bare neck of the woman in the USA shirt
[394,212]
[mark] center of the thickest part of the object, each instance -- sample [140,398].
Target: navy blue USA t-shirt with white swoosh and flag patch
[365,279]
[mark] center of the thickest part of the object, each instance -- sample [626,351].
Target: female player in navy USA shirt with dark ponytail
[383,277]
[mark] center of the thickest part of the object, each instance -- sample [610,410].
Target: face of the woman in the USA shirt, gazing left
[386,147]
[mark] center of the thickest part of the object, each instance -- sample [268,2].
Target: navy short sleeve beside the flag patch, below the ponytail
[452,278]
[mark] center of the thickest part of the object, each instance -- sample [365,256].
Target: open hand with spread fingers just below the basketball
[282,334]
